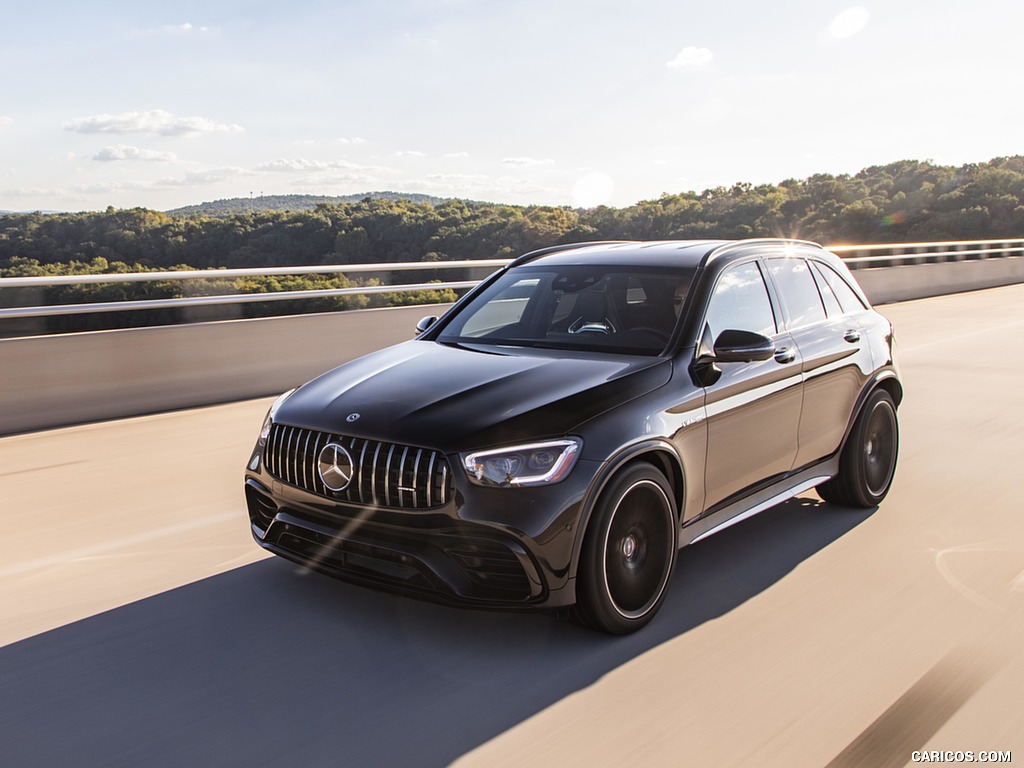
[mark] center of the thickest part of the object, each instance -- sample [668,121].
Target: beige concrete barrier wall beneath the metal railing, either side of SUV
[51,381]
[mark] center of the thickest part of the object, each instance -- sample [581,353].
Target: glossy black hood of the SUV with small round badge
[458,399]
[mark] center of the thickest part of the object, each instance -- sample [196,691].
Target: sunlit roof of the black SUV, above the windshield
[674,253]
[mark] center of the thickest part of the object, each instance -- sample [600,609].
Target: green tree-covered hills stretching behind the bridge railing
[902,202]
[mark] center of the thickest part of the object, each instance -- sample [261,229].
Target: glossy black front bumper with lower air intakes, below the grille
[502,548]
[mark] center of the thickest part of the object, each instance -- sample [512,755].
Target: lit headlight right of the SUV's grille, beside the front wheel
[536,464]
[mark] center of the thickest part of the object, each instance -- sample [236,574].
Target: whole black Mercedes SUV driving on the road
[560,434]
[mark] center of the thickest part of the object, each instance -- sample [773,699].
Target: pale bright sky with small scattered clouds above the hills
[559,103]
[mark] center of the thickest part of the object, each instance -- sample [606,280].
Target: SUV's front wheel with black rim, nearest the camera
[629,553]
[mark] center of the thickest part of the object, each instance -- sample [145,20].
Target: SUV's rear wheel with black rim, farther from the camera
[868,464]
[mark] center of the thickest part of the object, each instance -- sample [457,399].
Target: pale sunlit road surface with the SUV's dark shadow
[140,626]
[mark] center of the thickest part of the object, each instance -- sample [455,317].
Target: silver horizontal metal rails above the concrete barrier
[857,257]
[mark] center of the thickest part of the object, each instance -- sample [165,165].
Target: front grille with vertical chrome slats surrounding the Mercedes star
[385,475]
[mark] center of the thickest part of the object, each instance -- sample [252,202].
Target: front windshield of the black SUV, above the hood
[619,310]
